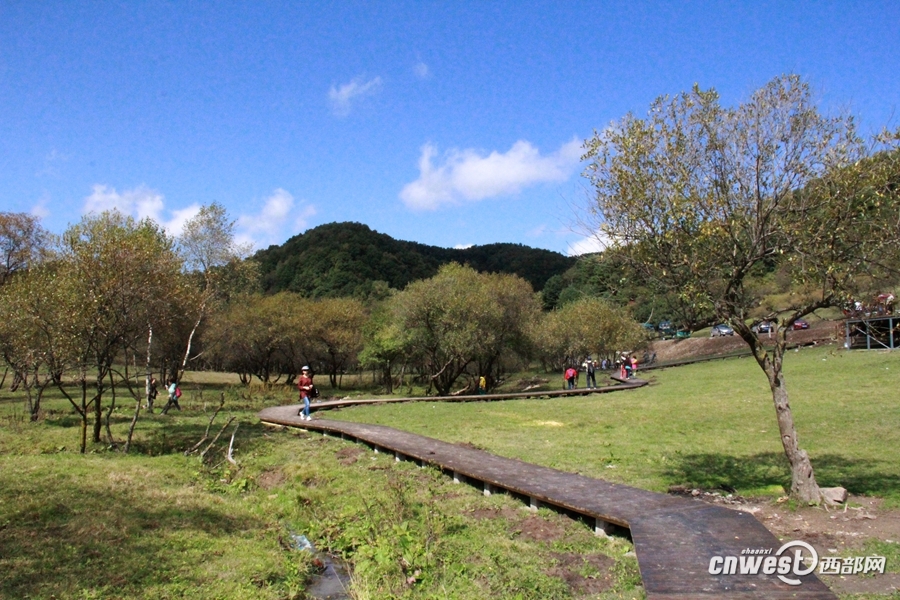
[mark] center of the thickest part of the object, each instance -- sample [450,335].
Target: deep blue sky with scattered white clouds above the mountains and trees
[450,124]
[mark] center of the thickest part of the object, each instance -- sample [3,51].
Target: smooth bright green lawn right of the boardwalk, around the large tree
[707,425]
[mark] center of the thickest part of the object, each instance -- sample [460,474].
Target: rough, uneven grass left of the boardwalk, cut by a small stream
[158,524]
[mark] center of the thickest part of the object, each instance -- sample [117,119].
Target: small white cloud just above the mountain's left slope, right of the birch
[278,219]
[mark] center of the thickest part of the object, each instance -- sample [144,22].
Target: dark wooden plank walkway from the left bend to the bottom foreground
[674,538]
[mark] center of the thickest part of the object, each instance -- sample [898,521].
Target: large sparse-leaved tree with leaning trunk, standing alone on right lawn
[698,195]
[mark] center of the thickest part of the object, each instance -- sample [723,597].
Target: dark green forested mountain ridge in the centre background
[350,259]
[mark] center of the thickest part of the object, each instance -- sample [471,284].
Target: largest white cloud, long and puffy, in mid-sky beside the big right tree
[469,175]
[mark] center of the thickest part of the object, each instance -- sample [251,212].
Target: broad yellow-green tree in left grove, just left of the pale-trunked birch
[119,274]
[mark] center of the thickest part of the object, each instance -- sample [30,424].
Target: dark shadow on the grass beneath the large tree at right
[768,469]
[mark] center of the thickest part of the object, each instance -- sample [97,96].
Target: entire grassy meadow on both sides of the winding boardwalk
[159,524]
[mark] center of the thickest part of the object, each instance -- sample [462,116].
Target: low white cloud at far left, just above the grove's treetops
[141,203]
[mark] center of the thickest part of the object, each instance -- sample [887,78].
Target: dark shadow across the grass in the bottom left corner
[62,540]
